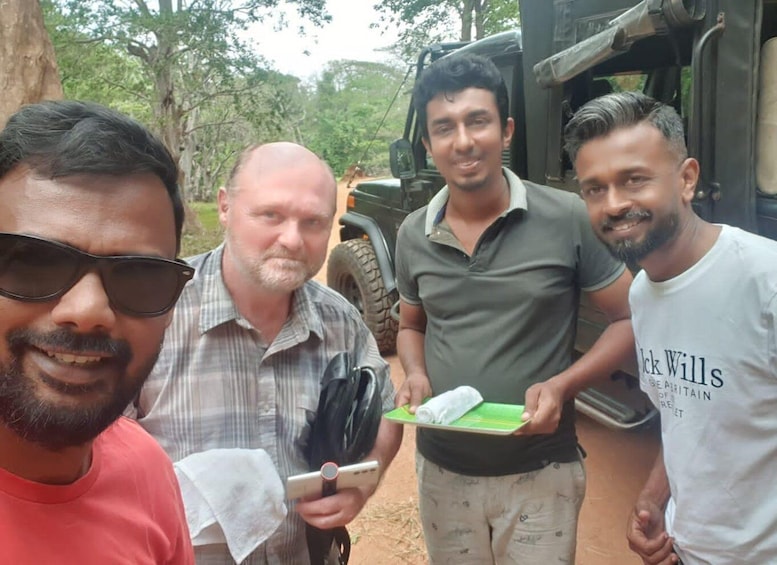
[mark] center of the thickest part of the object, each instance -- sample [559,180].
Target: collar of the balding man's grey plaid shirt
[218,308]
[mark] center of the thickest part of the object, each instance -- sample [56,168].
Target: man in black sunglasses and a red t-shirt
[90,225]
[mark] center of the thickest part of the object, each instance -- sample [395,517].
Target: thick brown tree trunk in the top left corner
[28,68]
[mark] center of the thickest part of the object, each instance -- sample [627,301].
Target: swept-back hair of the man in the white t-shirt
[601,116]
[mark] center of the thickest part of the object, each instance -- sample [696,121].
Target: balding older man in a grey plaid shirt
[249,342]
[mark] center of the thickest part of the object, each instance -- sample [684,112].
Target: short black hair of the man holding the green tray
[454,73]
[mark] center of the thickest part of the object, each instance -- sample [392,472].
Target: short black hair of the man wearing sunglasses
[57,139]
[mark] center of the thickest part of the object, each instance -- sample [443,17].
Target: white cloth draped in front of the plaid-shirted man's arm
[232,496]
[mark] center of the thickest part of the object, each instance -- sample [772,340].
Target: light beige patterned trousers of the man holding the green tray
[528,518]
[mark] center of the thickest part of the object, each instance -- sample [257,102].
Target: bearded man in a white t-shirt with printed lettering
[704,311]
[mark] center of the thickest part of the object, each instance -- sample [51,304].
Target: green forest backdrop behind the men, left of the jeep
[186,69]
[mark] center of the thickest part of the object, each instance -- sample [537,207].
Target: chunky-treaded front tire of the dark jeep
[352,270]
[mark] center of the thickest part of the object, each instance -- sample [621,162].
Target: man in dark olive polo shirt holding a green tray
[490,274]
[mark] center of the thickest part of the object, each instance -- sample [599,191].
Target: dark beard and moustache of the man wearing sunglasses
[53,425]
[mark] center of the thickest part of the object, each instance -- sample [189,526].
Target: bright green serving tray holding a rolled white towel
[486,418]
